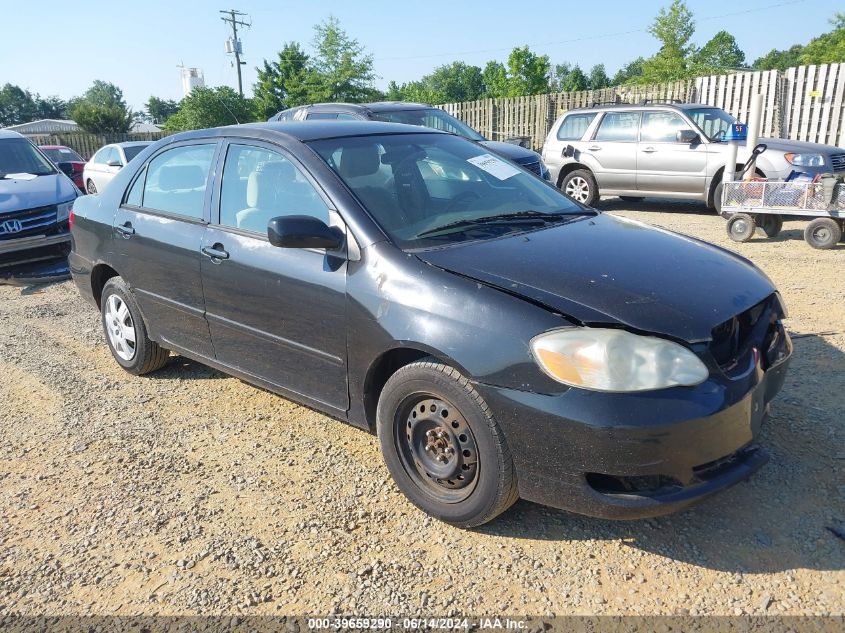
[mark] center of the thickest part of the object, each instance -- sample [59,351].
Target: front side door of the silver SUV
[664,164]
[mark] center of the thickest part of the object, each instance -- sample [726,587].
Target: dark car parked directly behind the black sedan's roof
[412,114]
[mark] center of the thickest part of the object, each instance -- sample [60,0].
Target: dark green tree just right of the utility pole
[283,83]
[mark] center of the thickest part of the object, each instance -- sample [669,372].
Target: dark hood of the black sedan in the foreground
[610,270]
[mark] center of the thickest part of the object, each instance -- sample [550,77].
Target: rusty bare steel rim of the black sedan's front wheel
[437,447]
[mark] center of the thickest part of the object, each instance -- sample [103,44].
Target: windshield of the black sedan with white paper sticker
[431,189]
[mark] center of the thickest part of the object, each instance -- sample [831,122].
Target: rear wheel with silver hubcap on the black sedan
[141,356]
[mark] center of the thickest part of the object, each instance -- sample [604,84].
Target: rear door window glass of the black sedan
[176,180]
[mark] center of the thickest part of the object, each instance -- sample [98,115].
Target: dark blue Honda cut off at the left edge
[35,205]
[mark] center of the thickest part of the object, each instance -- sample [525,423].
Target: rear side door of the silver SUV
[612,152]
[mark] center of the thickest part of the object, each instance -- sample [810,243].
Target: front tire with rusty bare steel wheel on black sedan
[426,410]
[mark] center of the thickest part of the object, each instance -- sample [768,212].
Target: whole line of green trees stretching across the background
[338,68]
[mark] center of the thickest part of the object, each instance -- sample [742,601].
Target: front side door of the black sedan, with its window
[277,314]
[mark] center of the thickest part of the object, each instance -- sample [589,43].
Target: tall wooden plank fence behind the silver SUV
[805,103]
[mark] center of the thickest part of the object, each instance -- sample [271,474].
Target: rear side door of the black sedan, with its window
[159,232]
